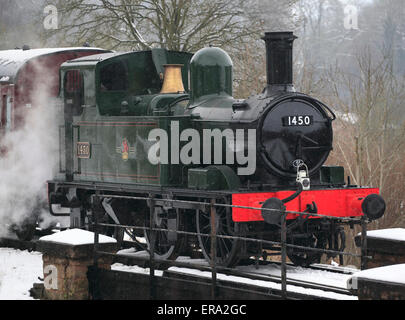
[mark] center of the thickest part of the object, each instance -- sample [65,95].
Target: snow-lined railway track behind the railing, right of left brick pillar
[197,269]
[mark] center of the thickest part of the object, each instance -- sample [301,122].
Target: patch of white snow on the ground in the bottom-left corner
[19,270]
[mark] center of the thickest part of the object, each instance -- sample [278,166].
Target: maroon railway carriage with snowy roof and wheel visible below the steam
[29,78]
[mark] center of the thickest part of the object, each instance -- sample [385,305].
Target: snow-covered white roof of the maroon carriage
[12,60]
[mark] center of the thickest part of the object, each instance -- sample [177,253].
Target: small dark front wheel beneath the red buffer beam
[305,258]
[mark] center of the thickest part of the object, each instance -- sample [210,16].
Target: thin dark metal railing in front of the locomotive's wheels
[214,268]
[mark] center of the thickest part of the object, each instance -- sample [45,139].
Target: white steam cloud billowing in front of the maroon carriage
[30,160]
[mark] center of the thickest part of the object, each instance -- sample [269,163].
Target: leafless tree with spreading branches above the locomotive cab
[185,25]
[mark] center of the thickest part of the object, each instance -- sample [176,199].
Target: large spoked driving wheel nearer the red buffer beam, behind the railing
[228,250]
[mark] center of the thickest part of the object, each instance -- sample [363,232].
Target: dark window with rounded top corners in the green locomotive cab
[114,77]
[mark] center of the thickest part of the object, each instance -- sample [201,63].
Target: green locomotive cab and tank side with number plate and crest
[116,98]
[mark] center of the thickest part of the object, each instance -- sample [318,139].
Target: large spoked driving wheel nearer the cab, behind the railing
[164,248]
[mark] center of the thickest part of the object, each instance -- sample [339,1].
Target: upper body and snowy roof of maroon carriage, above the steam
[23,73]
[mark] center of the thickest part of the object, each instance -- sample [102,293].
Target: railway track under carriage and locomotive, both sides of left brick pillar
[264,276]
